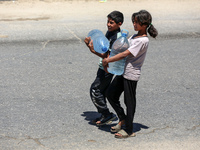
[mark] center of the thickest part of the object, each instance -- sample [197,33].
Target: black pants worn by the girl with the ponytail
[118,85]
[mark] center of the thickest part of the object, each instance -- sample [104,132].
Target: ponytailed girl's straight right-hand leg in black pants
[130,102]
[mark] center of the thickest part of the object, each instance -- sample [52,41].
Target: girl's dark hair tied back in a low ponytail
[144,18]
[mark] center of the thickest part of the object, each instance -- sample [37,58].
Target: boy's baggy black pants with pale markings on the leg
[98,89]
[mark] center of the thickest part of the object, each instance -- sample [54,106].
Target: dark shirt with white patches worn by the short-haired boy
[111,36]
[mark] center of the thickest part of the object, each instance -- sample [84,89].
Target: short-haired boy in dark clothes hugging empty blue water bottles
[103,79]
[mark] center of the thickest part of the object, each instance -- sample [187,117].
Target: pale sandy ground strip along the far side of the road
[22,10]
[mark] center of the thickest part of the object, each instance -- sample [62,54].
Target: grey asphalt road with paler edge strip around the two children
[45,75]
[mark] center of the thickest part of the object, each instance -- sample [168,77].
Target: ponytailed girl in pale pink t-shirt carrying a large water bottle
[135,55]
